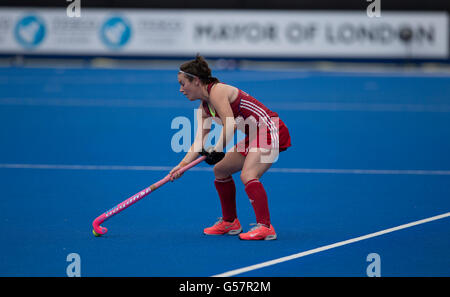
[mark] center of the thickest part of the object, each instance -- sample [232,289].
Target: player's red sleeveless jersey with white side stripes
[245,107]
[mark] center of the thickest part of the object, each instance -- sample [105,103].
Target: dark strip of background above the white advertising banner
[404,5]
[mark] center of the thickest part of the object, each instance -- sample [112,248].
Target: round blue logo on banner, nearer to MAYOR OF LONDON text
[115,32]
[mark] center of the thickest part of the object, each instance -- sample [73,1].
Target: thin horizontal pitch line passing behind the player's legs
[271,170]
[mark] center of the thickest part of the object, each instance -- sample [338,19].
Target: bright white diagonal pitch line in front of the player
[330,246]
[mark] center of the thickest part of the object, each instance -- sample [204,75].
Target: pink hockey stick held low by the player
[99,230]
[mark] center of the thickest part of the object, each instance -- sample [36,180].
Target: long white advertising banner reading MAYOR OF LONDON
[235,33]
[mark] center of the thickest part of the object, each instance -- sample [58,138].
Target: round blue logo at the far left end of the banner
[29,31]
